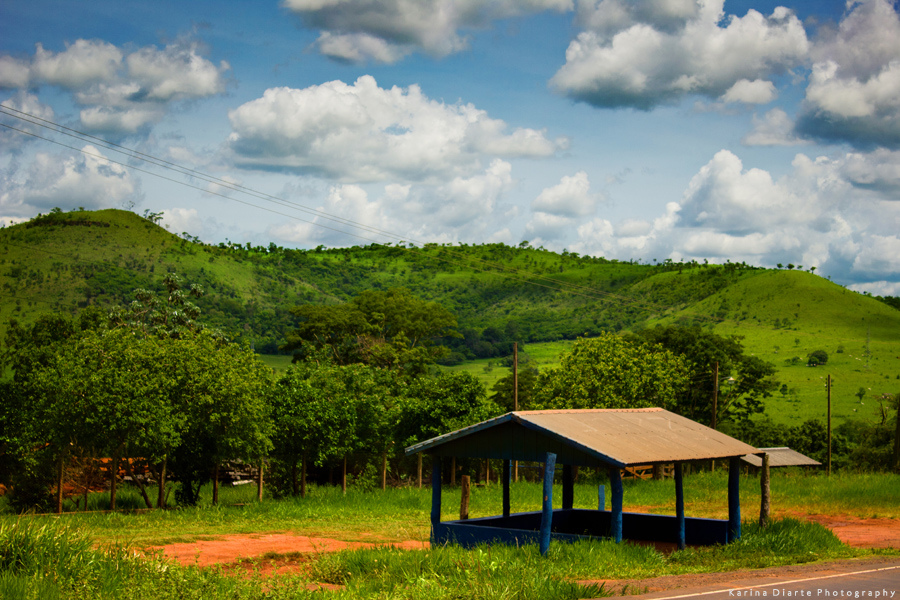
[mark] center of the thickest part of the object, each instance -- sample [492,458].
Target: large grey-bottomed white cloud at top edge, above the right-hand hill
[641,56]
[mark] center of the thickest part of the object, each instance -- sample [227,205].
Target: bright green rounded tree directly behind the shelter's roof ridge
[612,372]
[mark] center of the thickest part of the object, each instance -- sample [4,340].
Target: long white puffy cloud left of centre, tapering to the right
[362,132]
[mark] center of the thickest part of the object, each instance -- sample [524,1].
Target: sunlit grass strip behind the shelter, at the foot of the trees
[401,514]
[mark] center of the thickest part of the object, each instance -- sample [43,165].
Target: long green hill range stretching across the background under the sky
[66,261]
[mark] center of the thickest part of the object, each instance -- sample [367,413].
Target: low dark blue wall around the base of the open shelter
[578,524]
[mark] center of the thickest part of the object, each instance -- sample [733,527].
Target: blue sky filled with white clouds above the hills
[708,130]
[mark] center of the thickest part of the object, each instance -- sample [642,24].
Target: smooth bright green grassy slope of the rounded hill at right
[819,315]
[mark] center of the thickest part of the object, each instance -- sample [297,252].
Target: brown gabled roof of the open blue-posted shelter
[594,437]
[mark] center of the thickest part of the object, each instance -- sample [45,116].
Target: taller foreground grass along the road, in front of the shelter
[53,560]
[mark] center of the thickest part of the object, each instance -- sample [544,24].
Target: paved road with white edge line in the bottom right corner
[878,579]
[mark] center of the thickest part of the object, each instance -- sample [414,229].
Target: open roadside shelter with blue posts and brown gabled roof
[610,439]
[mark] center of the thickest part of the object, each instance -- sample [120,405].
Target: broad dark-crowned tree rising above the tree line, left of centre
[389,329]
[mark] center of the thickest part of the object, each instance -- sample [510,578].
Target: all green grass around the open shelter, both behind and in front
[48,556]
